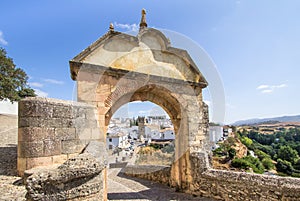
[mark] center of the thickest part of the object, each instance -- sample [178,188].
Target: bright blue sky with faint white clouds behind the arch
[255,45]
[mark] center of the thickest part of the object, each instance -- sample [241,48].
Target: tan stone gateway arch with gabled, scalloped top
[119,68]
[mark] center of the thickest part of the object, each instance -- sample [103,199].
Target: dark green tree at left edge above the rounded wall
[13,80]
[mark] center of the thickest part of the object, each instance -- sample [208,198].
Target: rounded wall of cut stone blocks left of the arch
[51,131]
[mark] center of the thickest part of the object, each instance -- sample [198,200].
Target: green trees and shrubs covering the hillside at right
[278,151]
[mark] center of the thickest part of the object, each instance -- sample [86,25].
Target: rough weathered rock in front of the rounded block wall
[77,178]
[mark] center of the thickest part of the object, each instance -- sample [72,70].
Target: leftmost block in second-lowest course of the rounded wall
[30,149]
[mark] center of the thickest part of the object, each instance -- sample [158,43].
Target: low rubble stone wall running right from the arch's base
[229,185]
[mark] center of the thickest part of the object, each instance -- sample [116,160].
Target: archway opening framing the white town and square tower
[141,133]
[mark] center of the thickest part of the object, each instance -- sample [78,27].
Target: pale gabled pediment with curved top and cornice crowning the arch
[149,52]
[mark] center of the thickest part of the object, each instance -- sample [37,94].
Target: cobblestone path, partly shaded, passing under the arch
[123,188]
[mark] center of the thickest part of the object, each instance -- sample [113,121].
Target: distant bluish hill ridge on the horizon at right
[295,118]
